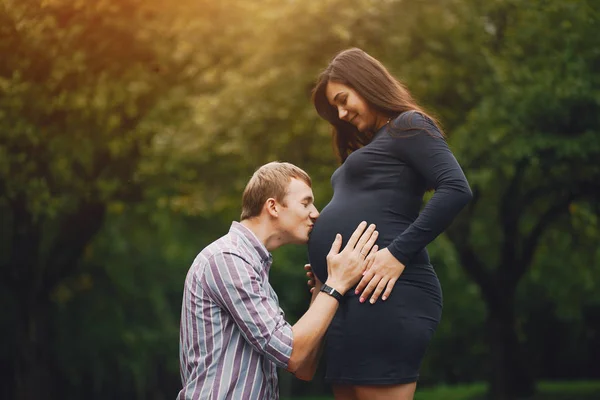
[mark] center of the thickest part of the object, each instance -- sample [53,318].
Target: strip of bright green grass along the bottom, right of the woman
[576,390]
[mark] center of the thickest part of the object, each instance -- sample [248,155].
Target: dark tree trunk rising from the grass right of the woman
[510,378]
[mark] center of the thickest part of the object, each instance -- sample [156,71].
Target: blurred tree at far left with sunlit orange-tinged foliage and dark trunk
[84,88]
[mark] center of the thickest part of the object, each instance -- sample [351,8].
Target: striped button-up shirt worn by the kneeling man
[233,334]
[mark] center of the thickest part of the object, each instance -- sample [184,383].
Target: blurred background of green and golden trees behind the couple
[129,128]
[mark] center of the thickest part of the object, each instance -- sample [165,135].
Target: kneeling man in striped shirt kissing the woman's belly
[233,333]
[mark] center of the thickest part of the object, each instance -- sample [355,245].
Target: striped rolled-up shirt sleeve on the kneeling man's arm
[234,284]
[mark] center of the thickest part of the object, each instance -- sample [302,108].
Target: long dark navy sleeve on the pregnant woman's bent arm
[424,149]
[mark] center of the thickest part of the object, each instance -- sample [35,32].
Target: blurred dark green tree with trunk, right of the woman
[528,149]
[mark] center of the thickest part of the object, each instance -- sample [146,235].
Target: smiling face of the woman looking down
[353,108]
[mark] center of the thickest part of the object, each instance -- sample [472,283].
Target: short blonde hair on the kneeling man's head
[270,180]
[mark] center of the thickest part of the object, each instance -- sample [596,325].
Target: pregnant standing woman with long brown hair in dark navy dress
[391,152]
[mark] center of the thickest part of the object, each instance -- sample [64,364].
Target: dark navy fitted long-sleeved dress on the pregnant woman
[384,183]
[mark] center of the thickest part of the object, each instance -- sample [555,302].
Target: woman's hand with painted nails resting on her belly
[382,275]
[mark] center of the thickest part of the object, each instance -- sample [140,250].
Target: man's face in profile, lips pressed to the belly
[297,213]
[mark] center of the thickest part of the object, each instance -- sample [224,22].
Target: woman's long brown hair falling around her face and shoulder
[372,81]
